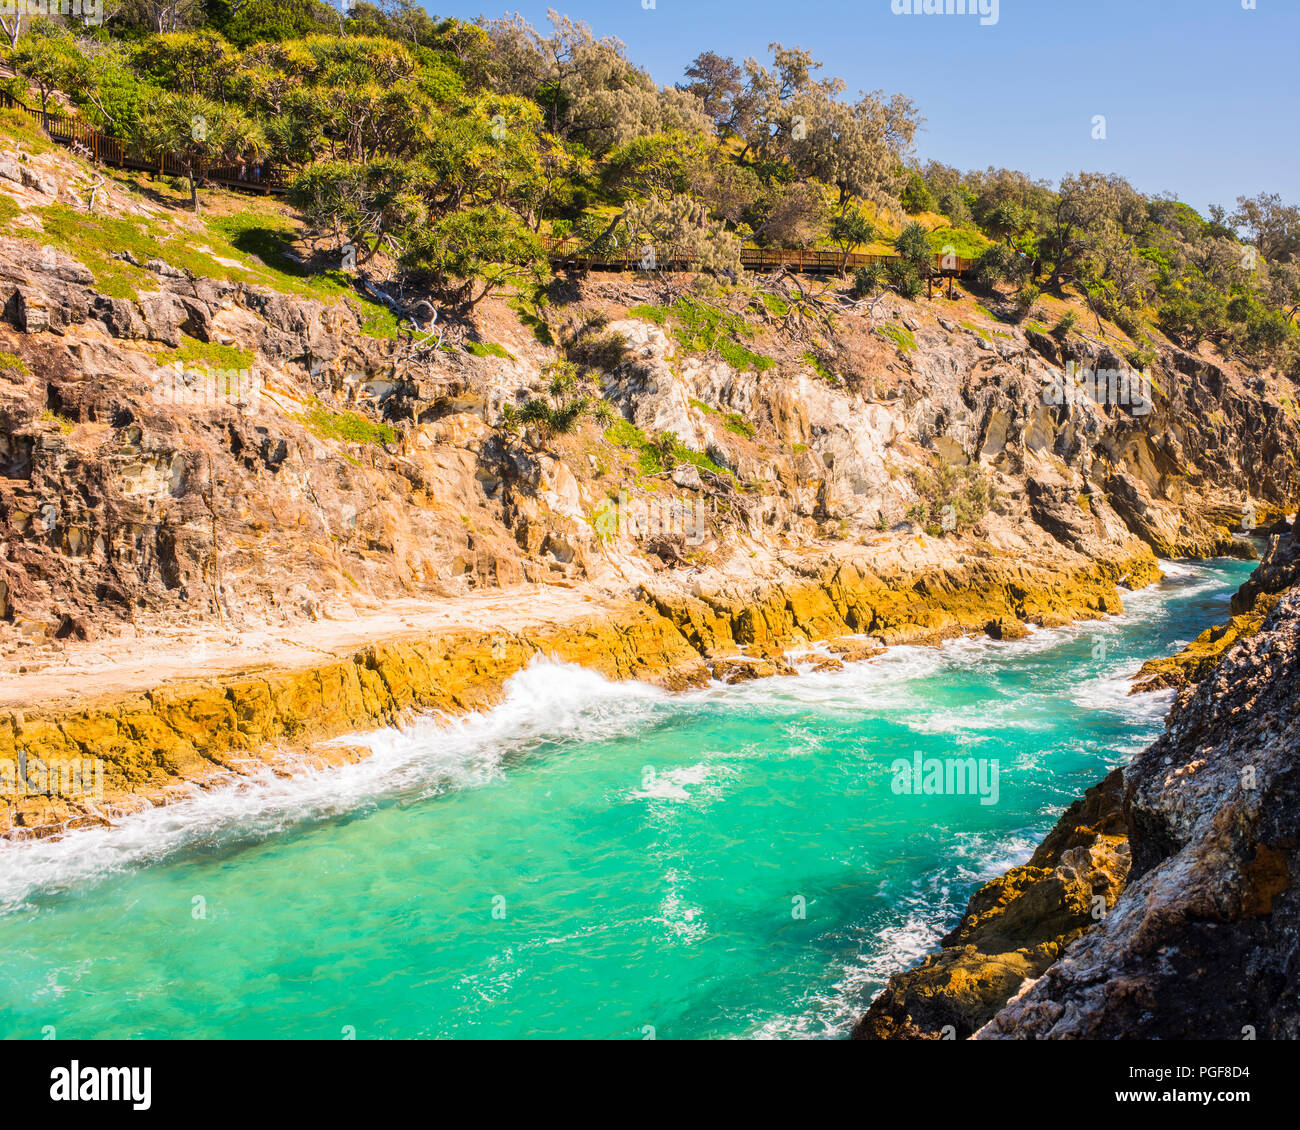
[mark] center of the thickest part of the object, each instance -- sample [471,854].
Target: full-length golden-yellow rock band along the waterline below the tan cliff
[157,743]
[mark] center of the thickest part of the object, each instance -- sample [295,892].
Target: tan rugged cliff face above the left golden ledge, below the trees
[132,500]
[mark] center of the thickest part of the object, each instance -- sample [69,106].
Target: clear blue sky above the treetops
[1202,98]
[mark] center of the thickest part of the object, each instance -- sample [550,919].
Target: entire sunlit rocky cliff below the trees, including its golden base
[207,439]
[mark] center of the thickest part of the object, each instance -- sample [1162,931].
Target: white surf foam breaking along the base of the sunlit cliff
[549,703]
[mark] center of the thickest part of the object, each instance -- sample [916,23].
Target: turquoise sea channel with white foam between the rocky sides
[591,860]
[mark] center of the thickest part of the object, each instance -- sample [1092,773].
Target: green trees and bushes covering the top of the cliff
[453,151]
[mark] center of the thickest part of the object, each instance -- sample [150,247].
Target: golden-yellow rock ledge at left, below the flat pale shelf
[153,747]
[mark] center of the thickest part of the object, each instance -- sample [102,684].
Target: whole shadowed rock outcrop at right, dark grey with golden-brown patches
[1204,941]
